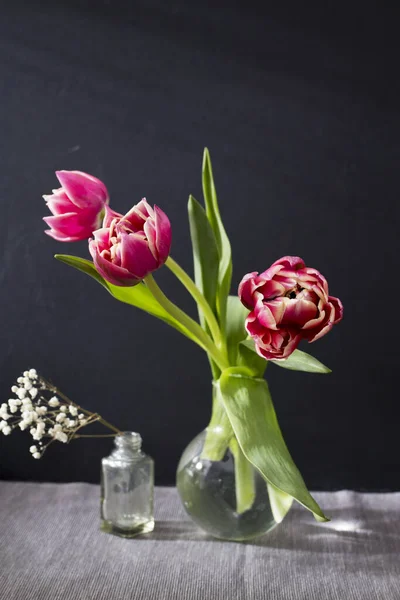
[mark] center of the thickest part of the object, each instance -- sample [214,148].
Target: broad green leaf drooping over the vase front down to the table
[250,410]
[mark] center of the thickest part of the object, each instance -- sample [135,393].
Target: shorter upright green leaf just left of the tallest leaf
[205,254]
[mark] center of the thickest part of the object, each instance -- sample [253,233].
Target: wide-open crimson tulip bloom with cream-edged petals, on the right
[288,302]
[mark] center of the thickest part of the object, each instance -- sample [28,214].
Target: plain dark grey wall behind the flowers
[300,109]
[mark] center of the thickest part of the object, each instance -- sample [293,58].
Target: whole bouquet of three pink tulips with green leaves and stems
[273,311]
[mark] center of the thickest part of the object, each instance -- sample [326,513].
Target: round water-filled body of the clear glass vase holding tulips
[227,498]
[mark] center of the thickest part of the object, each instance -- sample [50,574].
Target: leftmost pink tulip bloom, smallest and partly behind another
[77,206]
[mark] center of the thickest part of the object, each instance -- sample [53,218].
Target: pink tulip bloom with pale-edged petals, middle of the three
[127,248]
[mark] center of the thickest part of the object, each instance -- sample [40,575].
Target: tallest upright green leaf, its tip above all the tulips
[223,245]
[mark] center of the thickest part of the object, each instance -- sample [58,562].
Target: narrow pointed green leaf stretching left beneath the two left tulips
[138,295]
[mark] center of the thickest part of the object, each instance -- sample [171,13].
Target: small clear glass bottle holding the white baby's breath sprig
[127,488]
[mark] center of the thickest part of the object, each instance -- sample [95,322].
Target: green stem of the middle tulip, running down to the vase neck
[201,338]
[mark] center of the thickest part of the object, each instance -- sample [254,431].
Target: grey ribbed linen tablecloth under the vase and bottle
[51,548]
